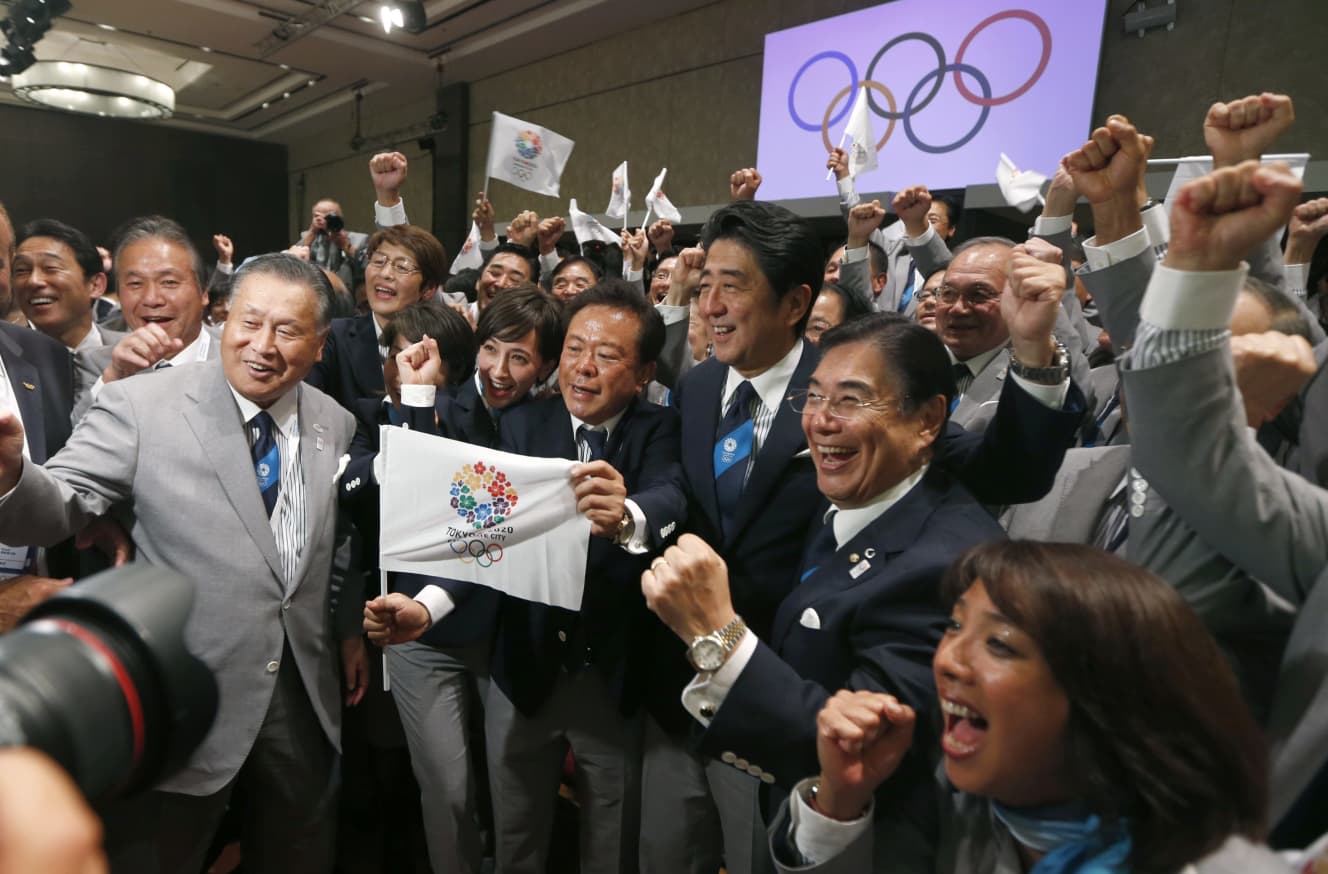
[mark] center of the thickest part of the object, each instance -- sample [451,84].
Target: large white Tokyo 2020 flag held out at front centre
[455,511]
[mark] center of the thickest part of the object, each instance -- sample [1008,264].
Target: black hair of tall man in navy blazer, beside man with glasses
[784,245]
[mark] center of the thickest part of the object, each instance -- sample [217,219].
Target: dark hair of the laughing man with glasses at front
[916,359]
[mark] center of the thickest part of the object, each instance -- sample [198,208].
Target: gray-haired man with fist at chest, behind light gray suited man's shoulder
[163,296]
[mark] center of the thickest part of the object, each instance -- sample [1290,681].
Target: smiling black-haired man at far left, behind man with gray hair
[58,277]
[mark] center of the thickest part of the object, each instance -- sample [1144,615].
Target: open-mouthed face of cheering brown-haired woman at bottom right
[1006,718]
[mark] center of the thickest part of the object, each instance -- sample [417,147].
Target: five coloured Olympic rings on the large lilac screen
[918,102]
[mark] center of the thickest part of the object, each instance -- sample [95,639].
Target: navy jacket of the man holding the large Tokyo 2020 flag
[535,642]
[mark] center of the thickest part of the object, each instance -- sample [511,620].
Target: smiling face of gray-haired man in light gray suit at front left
[272,338]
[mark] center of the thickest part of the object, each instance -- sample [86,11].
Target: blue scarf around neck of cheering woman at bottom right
[1071,841]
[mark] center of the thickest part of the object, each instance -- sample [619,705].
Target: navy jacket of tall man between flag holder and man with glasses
[1014,460]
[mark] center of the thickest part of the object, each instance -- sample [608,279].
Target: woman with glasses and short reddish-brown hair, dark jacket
[406,265]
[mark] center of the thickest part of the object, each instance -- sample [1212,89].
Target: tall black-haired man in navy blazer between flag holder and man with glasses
[756,281]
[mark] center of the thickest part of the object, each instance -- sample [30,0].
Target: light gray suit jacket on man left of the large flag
[175,448]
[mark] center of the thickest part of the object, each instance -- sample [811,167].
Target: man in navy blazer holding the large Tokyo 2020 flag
[576,679]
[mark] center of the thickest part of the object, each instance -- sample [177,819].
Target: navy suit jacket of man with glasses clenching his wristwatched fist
[869,618]
